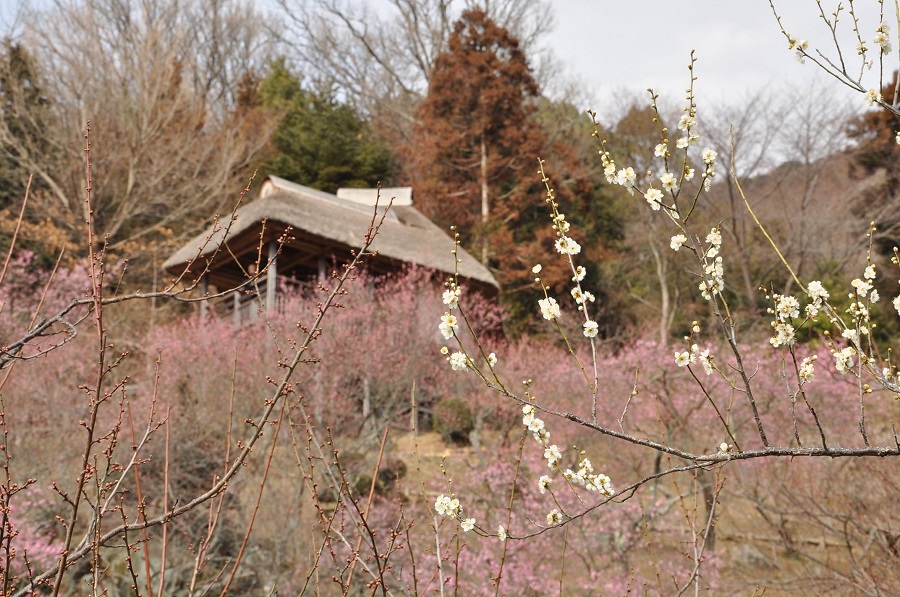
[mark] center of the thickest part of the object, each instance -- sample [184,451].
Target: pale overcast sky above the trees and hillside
[615,45]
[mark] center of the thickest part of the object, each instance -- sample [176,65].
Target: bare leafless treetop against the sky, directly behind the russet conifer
[383,60]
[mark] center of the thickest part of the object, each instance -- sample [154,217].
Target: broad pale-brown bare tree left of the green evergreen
[159,81]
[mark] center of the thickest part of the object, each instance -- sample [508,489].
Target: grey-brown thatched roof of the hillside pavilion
[337,221]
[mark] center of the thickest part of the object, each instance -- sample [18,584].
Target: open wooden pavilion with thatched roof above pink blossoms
[324,229]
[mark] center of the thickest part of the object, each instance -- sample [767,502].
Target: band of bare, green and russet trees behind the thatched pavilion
[187,99]
